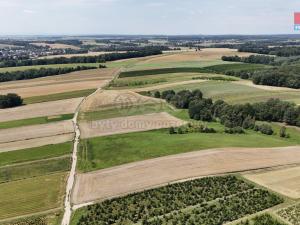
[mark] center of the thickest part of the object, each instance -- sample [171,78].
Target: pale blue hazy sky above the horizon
[172,17]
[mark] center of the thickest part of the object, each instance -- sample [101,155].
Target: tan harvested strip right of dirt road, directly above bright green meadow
[128,124]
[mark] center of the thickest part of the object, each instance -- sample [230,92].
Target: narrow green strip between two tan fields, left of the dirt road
[34,121]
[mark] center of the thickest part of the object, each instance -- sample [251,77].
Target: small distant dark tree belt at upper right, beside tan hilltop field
[258,59]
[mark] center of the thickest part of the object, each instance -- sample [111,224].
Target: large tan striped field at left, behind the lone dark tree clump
[80,80]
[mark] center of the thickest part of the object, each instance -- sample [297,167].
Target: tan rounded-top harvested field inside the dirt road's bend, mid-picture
[111,98]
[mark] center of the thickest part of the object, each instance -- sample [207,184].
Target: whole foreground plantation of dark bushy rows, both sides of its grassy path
[212,199]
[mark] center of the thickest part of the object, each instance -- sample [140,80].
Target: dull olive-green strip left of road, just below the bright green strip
[34,169]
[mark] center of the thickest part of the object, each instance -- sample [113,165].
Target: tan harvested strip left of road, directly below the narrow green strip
[36,131]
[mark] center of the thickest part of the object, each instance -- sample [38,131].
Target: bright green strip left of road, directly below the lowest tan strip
[31,154]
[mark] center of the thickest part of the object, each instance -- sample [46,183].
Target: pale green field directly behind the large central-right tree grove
[237,93]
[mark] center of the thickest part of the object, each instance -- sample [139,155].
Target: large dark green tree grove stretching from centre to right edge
[240,115]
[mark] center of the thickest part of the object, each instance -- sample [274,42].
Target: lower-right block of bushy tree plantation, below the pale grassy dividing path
[221,211]
